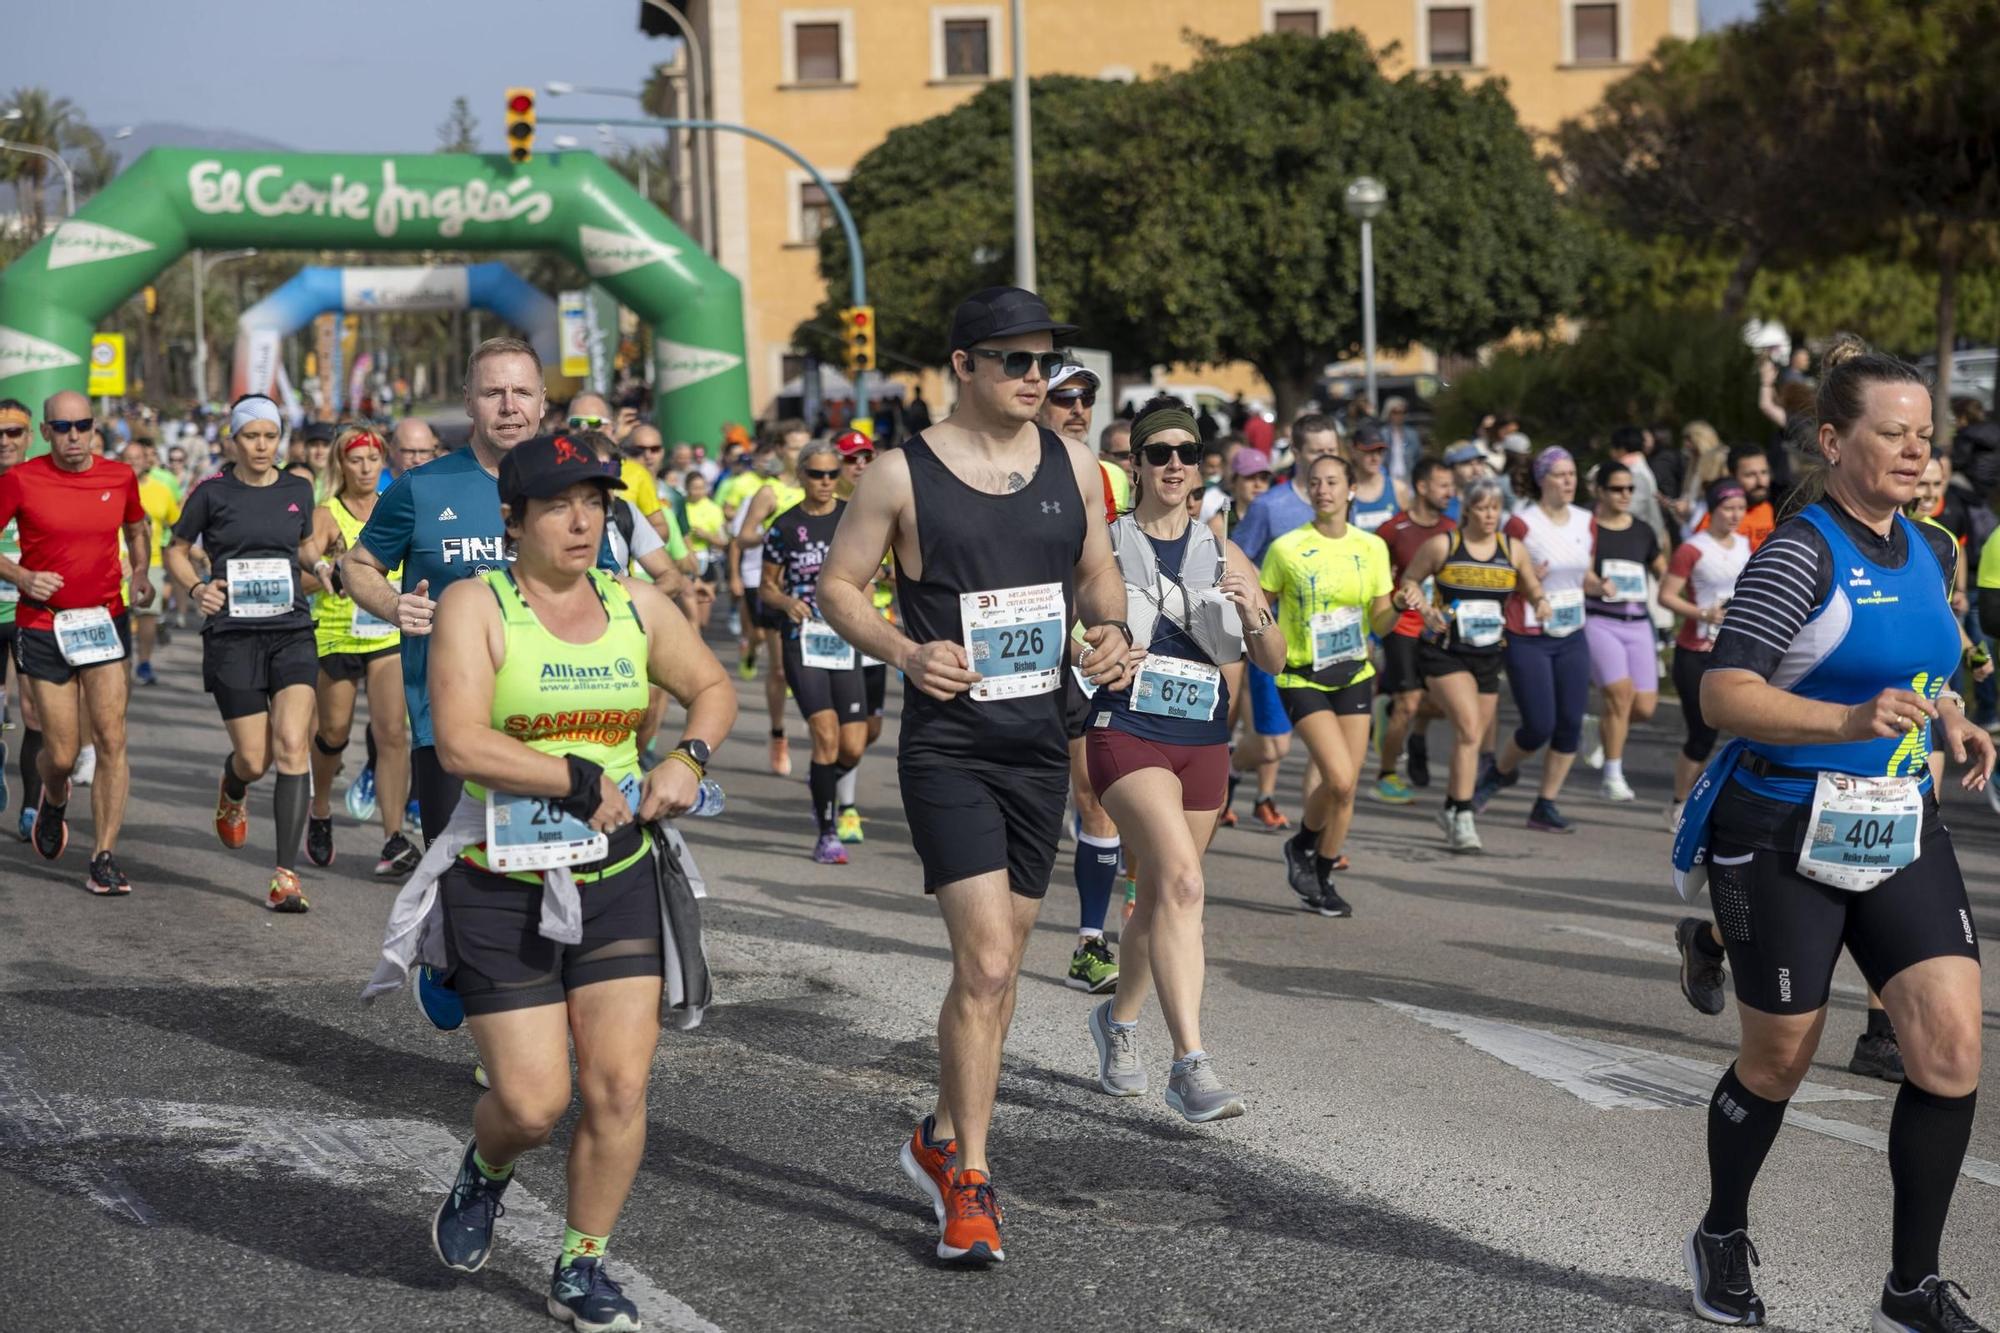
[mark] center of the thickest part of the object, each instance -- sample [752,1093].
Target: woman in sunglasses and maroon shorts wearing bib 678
[1159,752]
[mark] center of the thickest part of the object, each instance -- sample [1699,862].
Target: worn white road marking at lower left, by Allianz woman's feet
[345,1152]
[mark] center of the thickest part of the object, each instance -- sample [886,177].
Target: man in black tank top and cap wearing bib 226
[1001,545]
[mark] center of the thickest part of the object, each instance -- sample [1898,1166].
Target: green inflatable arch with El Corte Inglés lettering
[177,199]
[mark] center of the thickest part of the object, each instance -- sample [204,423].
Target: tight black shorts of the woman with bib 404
[1785,932]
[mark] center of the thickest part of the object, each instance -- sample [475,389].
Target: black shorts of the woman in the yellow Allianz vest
[499,960]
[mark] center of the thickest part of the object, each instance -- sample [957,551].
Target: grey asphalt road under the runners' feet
[1475,1106]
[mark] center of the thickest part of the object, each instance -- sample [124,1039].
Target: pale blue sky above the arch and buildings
[363,77]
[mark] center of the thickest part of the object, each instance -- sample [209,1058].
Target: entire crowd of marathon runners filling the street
[1101,637]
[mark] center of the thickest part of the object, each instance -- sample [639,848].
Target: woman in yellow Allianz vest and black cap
[539,678]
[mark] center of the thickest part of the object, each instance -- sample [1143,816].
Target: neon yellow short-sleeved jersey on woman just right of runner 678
[1315,575]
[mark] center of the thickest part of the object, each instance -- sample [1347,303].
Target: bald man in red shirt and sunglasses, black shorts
[73,633]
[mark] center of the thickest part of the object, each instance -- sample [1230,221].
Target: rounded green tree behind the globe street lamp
[1225,225]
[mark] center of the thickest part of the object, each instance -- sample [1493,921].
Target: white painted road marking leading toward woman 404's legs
[1611,1076]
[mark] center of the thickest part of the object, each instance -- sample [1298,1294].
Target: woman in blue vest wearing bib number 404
[1833,668]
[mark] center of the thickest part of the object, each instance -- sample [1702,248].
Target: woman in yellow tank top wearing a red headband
[355,649]
